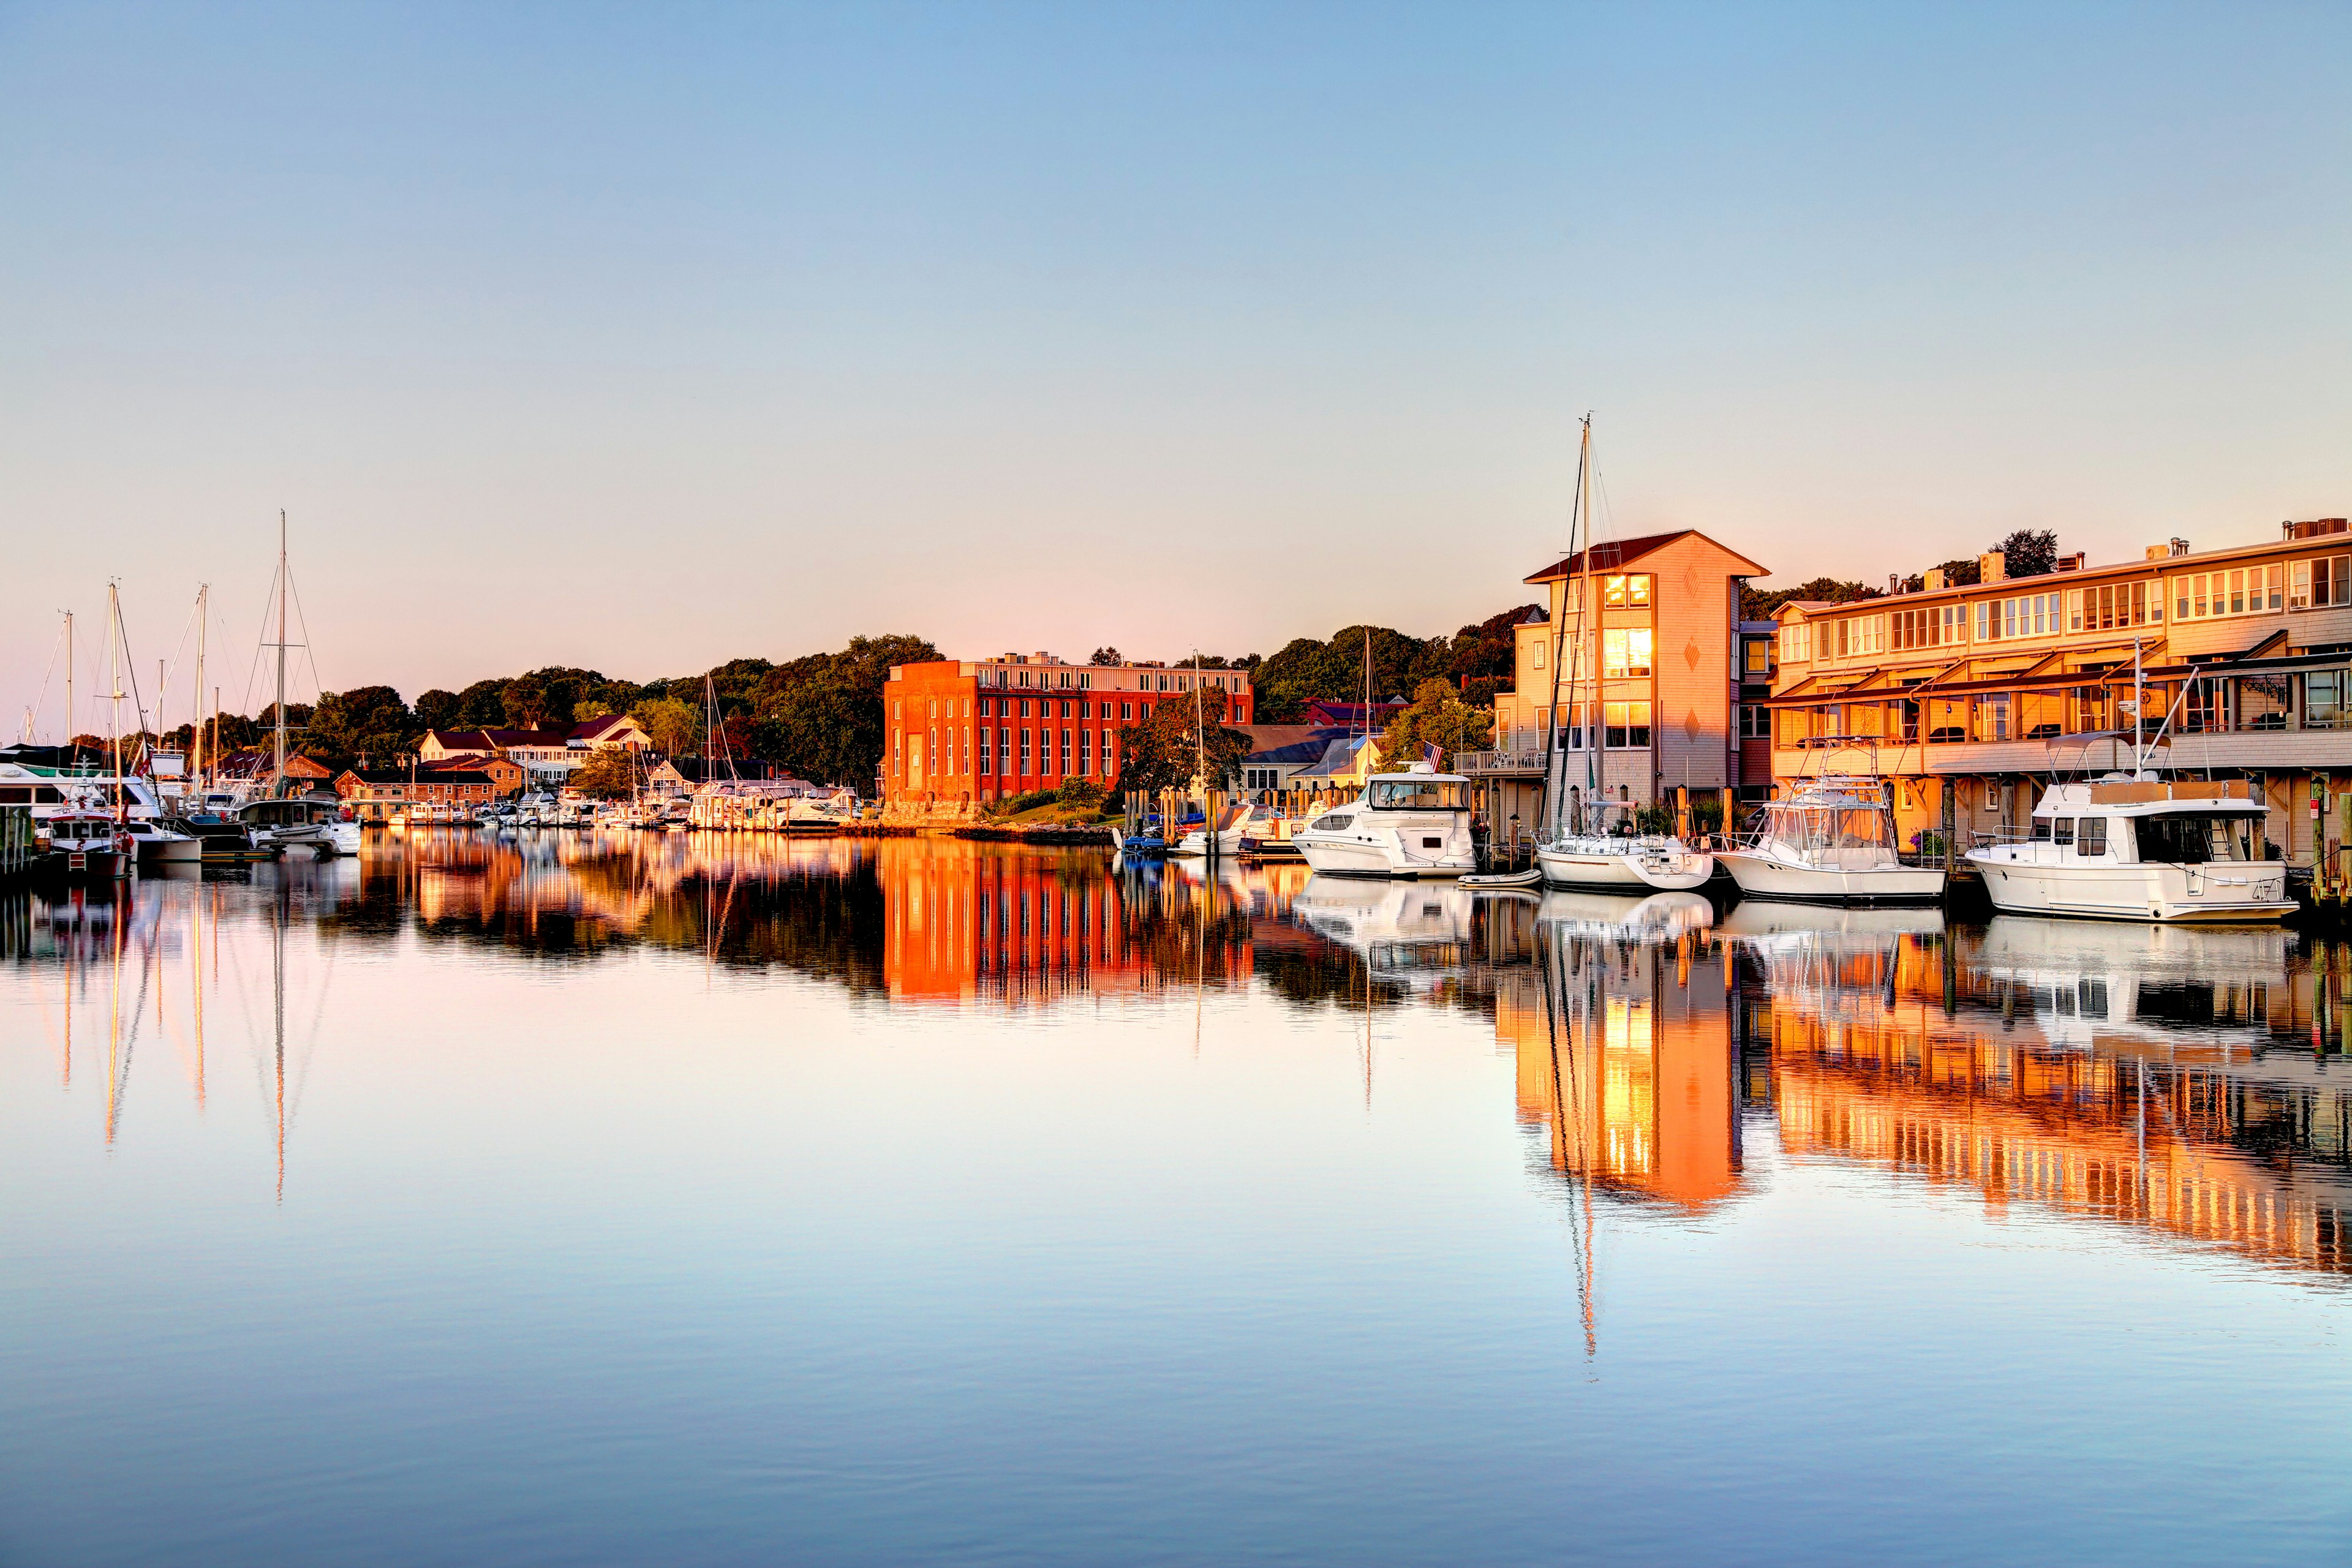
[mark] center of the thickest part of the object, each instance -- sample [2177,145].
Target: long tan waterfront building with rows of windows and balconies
[1975,697]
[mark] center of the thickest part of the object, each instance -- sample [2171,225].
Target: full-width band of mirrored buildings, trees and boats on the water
[2186,1085]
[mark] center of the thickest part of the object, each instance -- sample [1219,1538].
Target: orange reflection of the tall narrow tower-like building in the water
[1626,1061]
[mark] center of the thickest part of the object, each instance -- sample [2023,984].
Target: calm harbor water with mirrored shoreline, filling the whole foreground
[686,1200]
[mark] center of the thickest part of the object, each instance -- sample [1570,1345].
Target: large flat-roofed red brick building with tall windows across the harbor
[965,730]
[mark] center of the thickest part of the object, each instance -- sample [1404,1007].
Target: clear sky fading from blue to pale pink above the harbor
[648,337]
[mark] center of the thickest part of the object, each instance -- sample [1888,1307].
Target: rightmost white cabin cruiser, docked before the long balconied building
[2139,850]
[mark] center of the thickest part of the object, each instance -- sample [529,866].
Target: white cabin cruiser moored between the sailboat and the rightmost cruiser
[1831,843]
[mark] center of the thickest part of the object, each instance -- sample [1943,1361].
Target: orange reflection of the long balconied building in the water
[2047,1083]
